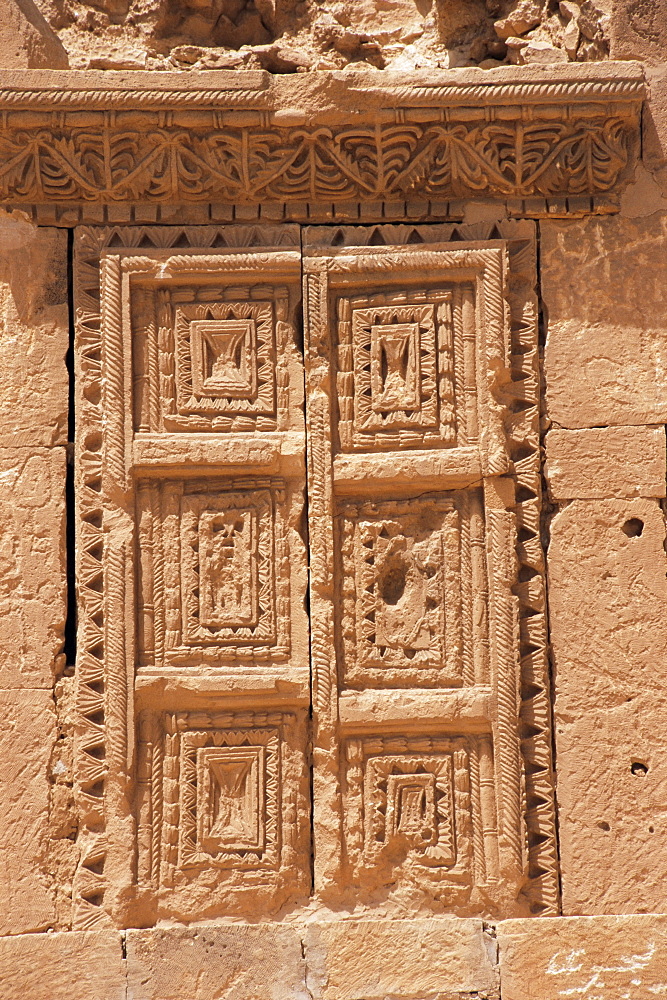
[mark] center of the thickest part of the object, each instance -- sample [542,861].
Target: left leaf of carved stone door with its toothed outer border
[192,678]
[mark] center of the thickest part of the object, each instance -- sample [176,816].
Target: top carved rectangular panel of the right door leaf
[396,370]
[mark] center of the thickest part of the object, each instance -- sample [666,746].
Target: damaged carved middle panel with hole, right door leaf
[402,610]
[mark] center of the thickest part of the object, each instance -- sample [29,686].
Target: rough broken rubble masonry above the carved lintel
[288,36]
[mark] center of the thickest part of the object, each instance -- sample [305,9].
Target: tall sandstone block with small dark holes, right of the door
[608,597]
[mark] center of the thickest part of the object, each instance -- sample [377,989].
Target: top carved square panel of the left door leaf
[210,356]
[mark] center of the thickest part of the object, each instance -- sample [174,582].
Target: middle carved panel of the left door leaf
[215,581]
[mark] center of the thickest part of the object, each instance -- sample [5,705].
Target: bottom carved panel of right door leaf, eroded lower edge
[415,806]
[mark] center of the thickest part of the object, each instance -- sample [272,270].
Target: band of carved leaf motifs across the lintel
[367,164]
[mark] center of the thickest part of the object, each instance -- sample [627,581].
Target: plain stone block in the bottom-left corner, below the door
[85,965]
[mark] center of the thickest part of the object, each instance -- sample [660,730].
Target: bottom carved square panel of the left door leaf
[222,811]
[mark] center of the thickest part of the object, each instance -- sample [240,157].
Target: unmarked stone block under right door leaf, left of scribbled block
[369,959]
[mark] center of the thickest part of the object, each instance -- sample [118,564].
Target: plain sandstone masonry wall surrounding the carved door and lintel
[603,295]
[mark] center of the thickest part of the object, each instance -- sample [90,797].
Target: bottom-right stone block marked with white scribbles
[606,958]
